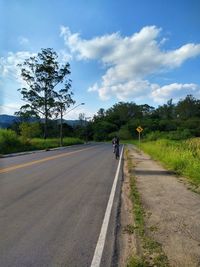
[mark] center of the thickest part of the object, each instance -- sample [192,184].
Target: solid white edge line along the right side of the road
[96,261]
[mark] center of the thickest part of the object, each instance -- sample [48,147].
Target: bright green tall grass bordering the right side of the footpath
[183,157]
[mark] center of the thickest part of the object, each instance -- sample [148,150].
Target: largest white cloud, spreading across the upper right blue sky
[129,60]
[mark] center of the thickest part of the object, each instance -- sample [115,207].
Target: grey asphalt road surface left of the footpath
[52,205]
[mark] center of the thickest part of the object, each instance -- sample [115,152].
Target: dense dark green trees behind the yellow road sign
[177,120]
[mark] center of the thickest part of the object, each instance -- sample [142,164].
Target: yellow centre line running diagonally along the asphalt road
[15,167]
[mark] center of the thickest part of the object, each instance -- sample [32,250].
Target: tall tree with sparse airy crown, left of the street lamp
[43,75]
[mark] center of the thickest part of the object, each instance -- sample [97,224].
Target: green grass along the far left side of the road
[11,143]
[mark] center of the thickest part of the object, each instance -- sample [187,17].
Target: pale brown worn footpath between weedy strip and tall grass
[173,211]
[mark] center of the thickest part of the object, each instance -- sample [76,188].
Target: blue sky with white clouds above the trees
[141,51]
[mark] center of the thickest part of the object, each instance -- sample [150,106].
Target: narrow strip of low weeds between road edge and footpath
[149,251]
